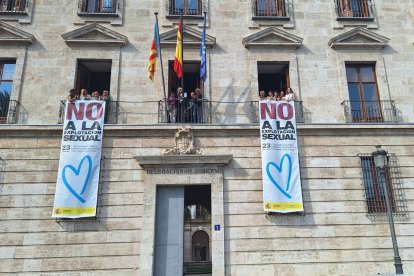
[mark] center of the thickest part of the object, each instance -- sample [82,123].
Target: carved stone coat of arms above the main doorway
[184,143]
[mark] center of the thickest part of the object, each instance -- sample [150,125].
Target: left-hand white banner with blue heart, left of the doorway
[80,156]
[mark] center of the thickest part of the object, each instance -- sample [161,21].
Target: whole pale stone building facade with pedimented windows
[349,62]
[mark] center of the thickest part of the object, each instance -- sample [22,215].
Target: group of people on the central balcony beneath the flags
[182,109]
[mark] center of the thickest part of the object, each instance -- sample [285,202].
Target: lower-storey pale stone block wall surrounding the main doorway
[334,236]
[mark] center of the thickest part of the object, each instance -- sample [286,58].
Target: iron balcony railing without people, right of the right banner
[370,111]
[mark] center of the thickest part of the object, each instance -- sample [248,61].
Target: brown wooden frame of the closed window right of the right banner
[363,104]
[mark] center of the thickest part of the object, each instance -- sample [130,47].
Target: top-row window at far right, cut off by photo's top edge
[353,8]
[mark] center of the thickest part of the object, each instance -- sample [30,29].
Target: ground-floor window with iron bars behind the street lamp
[373,186]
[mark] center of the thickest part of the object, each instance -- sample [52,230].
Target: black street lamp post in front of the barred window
[381,163]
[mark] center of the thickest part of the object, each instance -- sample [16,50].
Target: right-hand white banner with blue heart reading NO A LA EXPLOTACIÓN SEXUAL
[282,190]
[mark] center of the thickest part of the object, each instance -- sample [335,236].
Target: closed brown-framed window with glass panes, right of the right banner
[364,101]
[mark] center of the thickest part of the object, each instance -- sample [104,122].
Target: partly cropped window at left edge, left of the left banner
[7,69]
